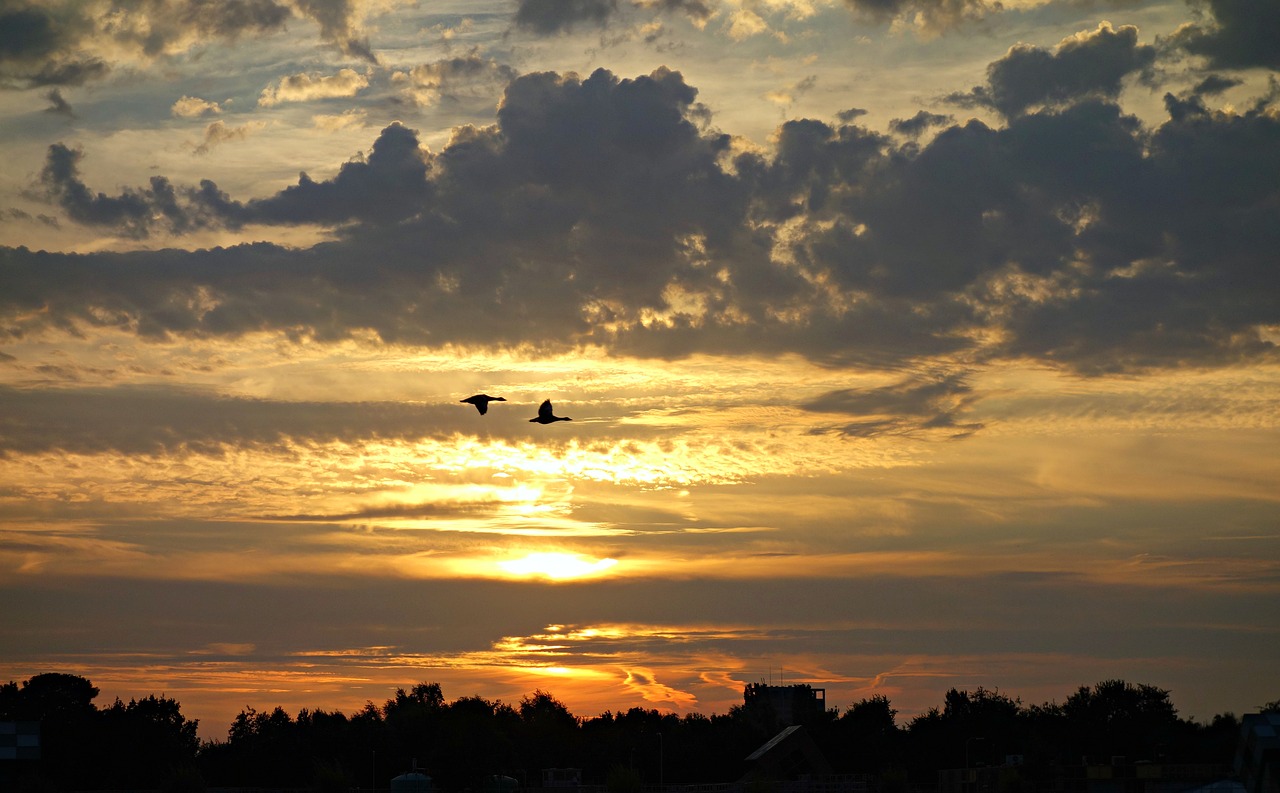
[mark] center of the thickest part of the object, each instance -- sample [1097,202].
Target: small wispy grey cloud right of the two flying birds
[909,406]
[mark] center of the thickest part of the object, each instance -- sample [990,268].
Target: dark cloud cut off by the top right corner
[1244,34]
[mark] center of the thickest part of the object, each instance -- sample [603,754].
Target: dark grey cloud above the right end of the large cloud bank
[1089,65]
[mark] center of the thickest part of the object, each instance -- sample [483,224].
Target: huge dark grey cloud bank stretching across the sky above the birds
[597,212]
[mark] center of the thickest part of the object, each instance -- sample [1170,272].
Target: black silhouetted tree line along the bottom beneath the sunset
[149,745]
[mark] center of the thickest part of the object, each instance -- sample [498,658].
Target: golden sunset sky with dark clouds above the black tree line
[909,346]
